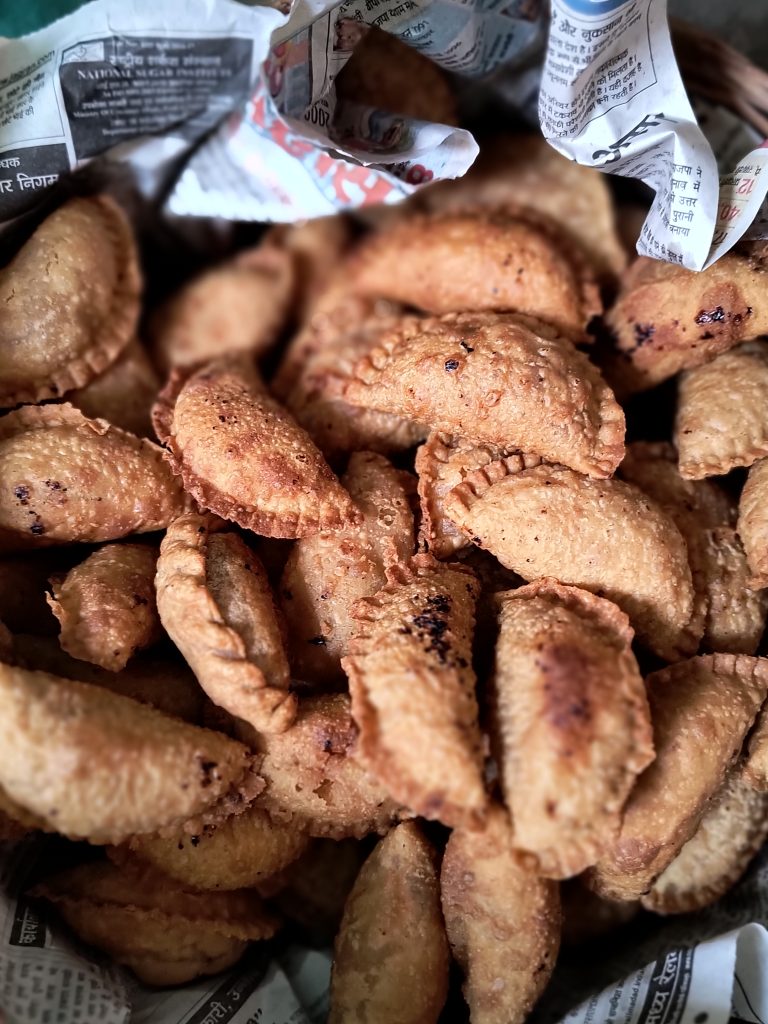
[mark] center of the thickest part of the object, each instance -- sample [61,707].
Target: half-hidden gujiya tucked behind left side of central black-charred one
[328,574]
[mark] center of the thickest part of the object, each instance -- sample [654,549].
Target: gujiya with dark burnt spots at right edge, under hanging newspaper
[668,319]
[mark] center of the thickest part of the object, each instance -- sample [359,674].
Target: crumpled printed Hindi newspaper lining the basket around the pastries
[239,107]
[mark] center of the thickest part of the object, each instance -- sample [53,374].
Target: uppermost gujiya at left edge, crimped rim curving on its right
[70,302]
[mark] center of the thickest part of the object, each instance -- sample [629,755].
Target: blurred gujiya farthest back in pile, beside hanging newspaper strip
[527,172]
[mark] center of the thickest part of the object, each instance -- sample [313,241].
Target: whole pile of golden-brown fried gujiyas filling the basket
[334,598]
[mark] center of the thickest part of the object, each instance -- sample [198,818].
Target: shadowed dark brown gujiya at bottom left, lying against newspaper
[165,934]
